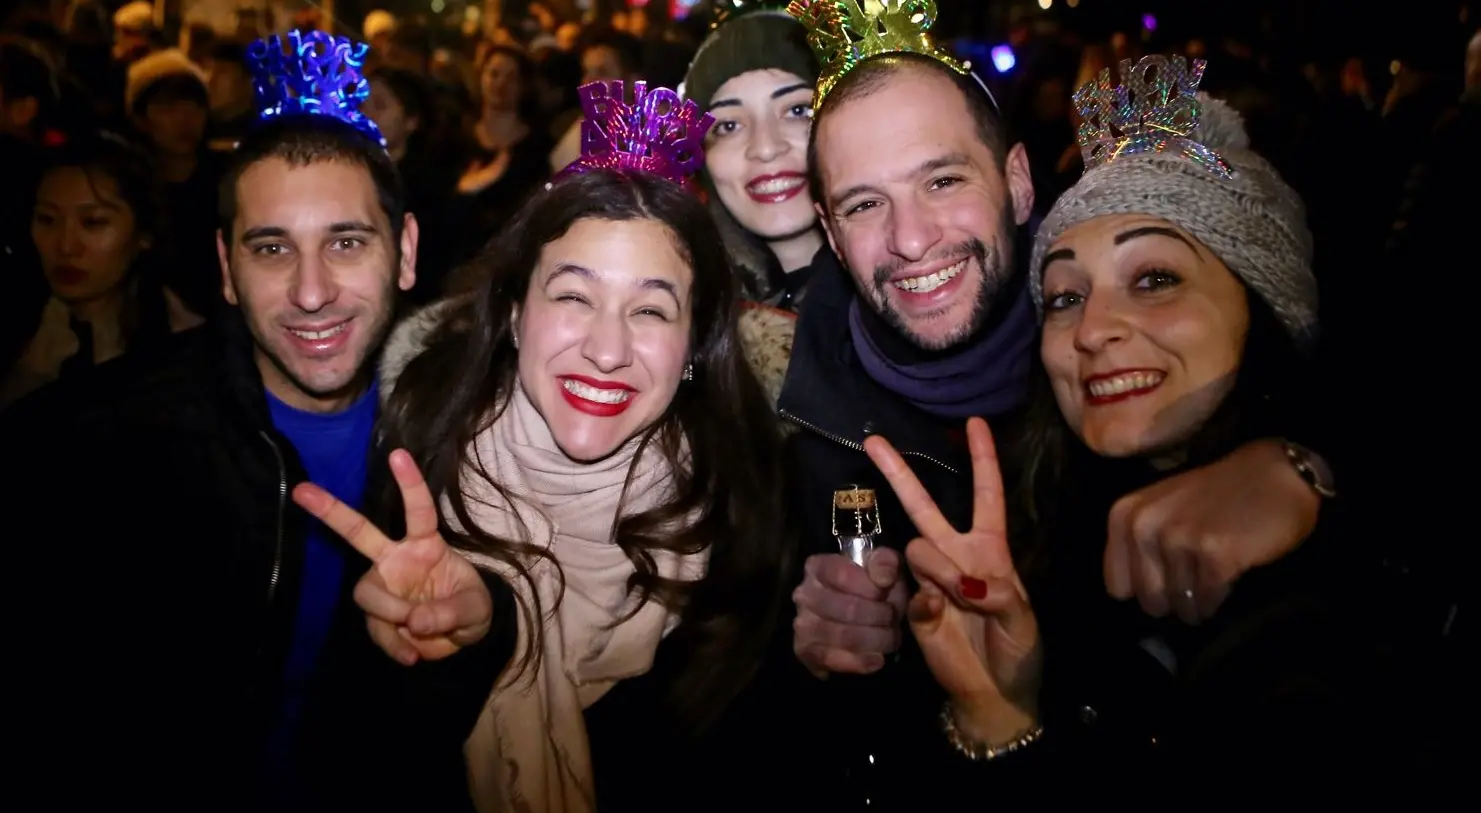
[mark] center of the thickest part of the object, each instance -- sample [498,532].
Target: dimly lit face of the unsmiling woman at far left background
[85,235]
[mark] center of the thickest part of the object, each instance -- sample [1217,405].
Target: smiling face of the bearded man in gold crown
[917,205]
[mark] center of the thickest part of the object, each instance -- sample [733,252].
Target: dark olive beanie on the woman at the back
[759,41]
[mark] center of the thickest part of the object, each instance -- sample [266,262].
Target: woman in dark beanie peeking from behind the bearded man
[756,75]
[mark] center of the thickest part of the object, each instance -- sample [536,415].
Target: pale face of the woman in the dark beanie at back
[756,153]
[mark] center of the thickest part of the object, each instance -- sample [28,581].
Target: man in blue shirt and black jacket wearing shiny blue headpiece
[213,645]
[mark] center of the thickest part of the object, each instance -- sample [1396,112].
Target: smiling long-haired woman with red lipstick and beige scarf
[590,421]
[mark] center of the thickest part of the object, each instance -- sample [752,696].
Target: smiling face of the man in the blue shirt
[315,270]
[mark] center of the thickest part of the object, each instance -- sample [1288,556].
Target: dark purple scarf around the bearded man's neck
[986,378]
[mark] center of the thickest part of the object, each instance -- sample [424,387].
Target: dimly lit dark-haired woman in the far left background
[97,229]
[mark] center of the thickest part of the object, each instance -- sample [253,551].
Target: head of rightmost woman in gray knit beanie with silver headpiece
[1159,273]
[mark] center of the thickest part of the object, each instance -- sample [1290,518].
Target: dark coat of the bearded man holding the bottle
[872,735]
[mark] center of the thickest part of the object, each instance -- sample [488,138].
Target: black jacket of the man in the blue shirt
[164,556]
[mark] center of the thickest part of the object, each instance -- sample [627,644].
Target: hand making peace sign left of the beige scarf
[423,600]
